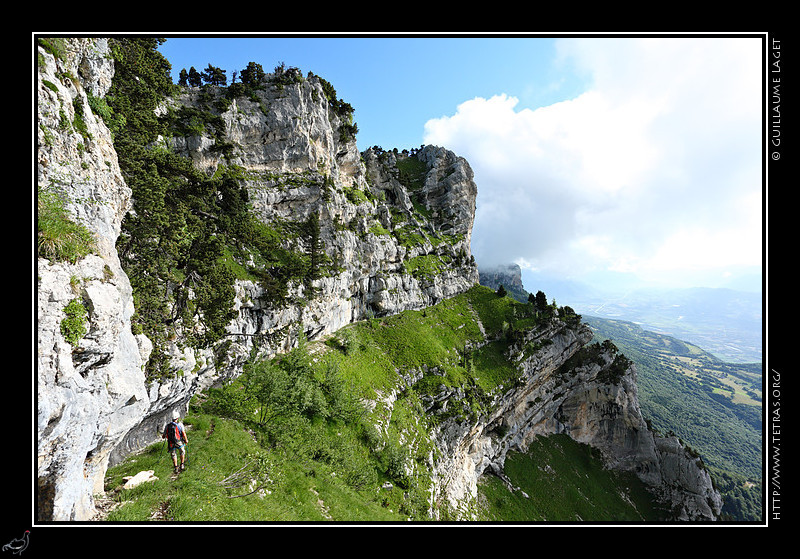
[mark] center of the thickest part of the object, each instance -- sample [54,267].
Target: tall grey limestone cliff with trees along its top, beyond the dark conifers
[392,246]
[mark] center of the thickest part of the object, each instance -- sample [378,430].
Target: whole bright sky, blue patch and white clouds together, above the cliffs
[632,158]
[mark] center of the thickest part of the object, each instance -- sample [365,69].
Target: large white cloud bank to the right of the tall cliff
[654,169]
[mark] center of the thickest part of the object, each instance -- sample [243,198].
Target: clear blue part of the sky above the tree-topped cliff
[395,85]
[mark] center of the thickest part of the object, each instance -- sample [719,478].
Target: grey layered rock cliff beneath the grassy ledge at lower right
[589,393]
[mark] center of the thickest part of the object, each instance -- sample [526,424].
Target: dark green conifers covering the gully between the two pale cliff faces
[177,243]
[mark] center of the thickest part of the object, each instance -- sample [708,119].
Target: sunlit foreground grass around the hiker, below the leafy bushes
[297,492]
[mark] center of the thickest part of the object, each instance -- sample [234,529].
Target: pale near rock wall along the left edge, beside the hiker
[90,395]
